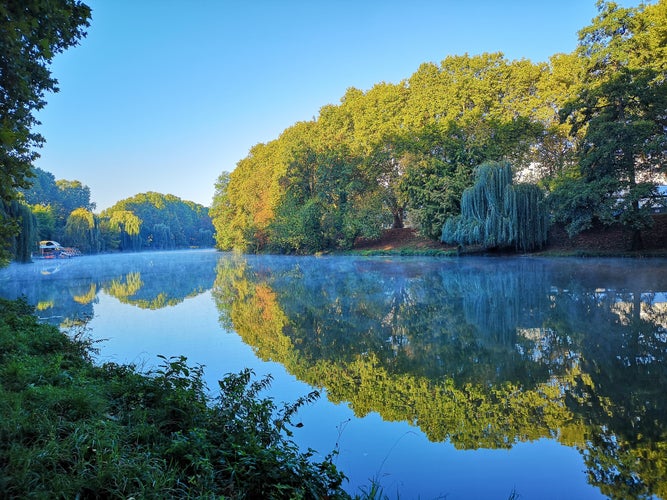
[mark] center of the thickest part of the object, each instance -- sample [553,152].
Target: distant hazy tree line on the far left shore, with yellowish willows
[61,210]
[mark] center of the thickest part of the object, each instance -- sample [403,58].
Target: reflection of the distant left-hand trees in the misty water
[148,281]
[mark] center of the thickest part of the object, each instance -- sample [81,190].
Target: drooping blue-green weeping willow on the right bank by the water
[495,213]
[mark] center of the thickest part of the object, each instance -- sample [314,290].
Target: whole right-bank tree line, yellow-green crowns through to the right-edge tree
[585,129]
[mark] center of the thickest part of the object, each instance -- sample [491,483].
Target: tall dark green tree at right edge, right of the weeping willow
[621,111]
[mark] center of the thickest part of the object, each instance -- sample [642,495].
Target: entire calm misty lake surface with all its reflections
[464,378]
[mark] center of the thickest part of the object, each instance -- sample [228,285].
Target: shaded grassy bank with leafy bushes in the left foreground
[72,429]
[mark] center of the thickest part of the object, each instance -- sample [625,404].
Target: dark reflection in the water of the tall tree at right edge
[621,393]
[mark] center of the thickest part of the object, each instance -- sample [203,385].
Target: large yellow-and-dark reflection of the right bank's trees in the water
[480,356]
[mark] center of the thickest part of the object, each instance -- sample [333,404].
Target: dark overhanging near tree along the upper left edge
[33,32]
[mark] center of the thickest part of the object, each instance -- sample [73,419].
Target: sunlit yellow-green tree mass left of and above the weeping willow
[396,154]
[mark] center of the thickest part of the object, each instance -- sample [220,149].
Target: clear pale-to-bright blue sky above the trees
[164,95]
